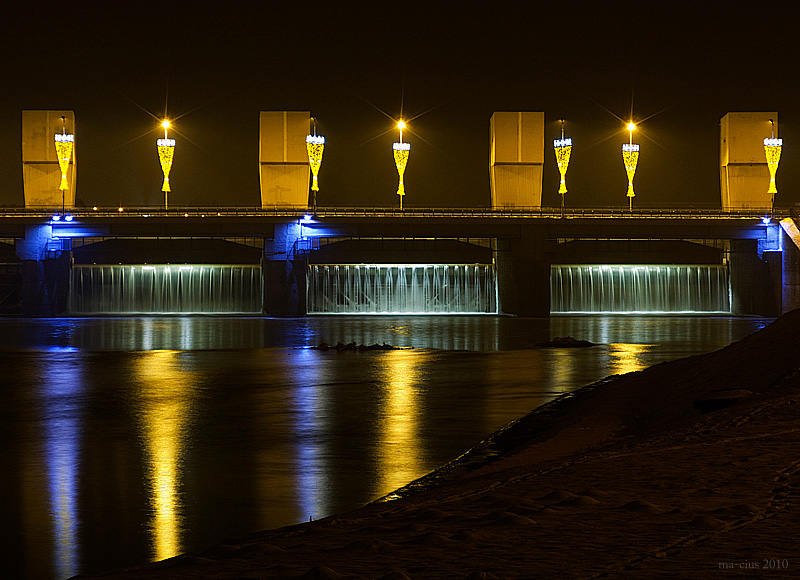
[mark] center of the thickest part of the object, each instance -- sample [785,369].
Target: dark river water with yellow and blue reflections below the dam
[128,440]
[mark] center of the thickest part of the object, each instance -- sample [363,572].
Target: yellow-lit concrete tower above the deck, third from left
[517,158]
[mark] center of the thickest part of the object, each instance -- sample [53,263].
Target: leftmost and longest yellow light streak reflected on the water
[165,398]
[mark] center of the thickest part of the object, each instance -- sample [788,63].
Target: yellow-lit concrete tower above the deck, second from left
[283,158]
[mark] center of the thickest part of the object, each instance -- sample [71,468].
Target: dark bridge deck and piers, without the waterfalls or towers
[45,246]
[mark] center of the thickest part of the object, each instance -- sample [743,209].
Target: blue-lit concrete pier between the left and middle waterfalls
[284,270]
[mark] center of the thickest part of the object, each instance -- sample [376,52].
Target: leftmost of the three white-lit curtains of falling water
[166,289]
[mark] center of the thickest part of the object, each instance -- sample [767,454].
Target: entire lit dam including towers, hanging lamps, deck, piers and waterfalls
[514,257]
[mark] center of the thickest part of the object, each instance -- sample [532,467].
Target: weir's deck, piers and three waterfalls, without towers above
[530,263]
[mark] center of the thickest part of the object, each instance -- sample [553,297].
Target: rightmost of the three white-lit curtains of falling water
[622,288]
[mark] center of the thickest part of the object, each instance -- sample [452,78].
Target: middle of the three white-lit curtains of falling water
[404,289]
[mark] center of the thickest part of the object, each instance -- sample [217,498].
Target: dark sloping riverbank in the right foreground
[626,478]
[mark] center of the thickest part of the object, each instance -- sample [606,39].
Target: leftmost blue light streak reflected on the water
[62,411]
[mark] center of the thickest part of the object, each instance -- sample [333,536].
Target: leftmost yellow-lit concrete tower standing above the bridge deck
[41,175]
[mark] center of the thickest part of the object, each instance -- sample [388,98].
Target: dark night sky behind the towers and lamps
[216,65]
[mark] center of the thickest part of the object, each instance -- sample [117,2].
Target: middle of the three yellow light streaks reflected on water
[398,445]
